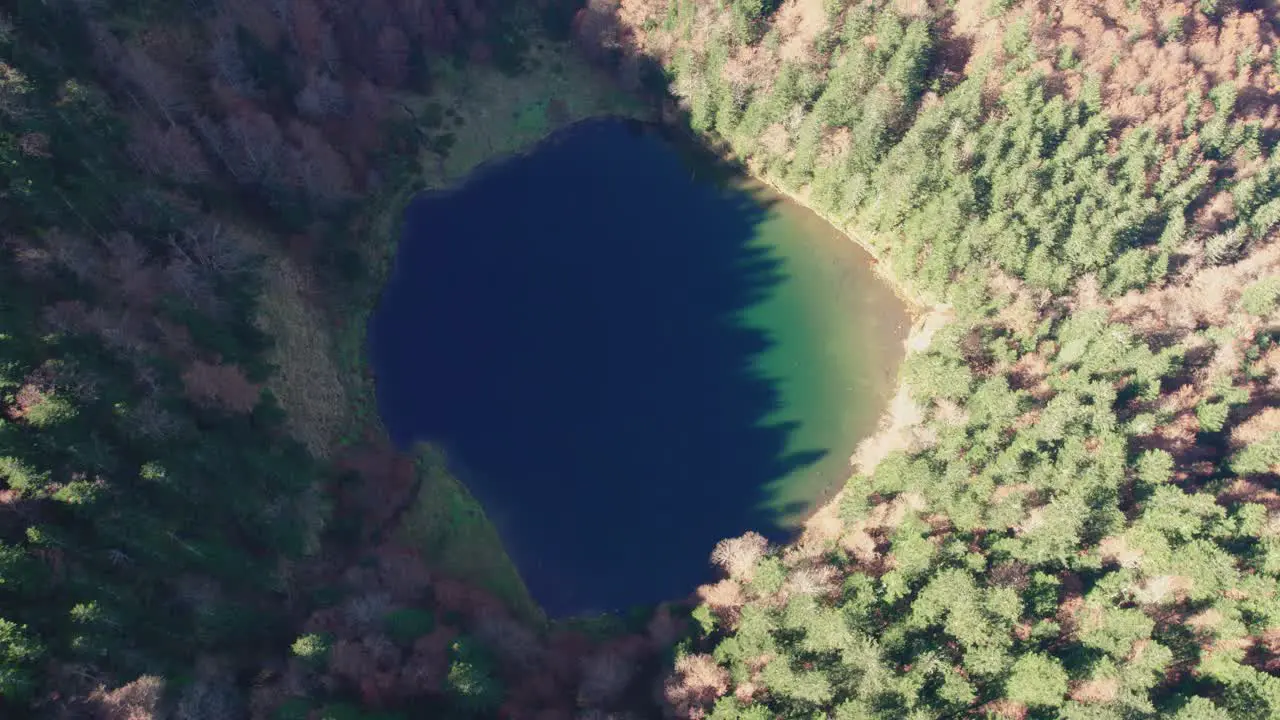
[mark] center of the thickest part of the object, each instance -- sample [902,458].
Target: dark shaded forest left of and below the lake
[167,548]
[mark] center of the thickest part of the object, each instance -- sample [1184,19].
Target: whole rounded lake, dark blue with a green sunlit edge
[629,353]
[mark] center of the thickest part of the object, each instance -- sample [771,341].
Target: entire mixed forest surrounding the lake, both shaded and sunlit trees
[1073,509]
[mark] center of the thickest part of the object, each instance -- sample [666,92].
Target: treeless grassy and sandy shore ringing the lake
[501,117]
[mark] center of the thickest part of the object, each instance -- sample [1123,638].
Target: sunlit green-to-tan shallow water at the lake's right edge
[839,336]
